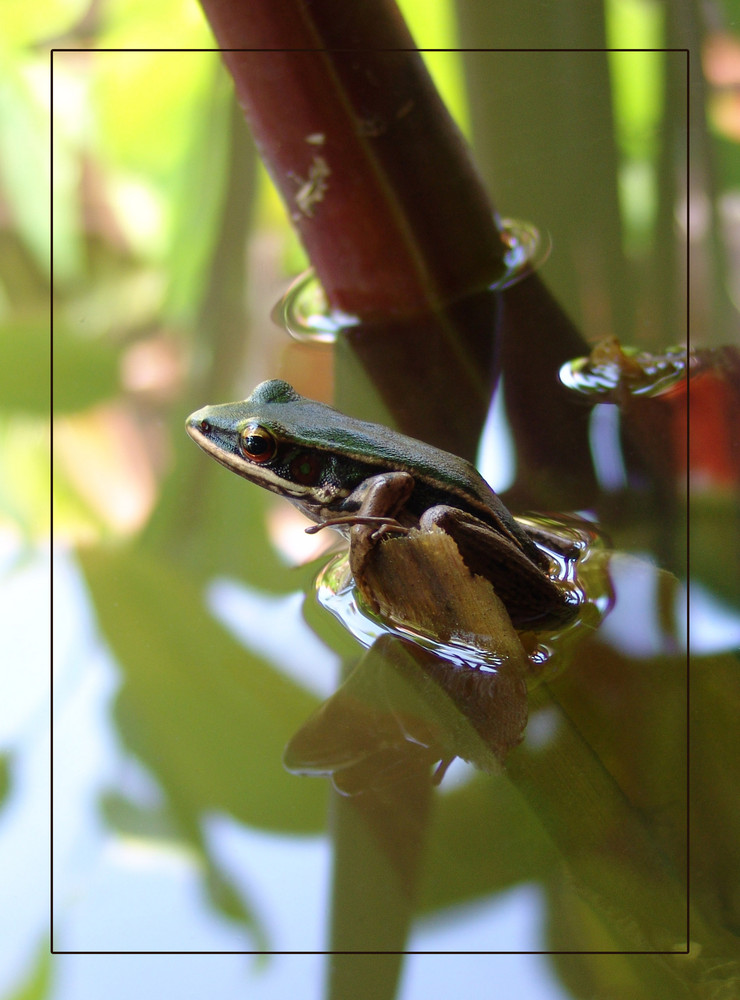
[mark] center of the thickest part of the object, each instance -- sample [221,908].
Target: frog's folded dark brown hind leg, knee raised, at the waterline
[531,597]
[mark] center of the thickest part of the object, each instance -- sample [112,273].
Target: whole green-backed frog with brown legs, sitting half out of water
[367,481]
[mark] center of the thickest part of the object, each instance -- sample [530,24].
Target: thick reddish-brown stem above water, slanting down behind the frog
[374,173]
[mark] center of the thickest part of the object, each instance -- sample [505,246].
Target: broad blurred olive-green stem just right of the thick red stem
[542,123]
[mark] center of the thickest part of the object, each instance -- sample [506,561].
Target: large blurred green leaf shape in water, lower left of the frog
[209,718]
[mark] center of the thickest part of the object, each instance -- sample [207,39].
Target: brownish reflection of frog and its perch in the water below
[404,706]
